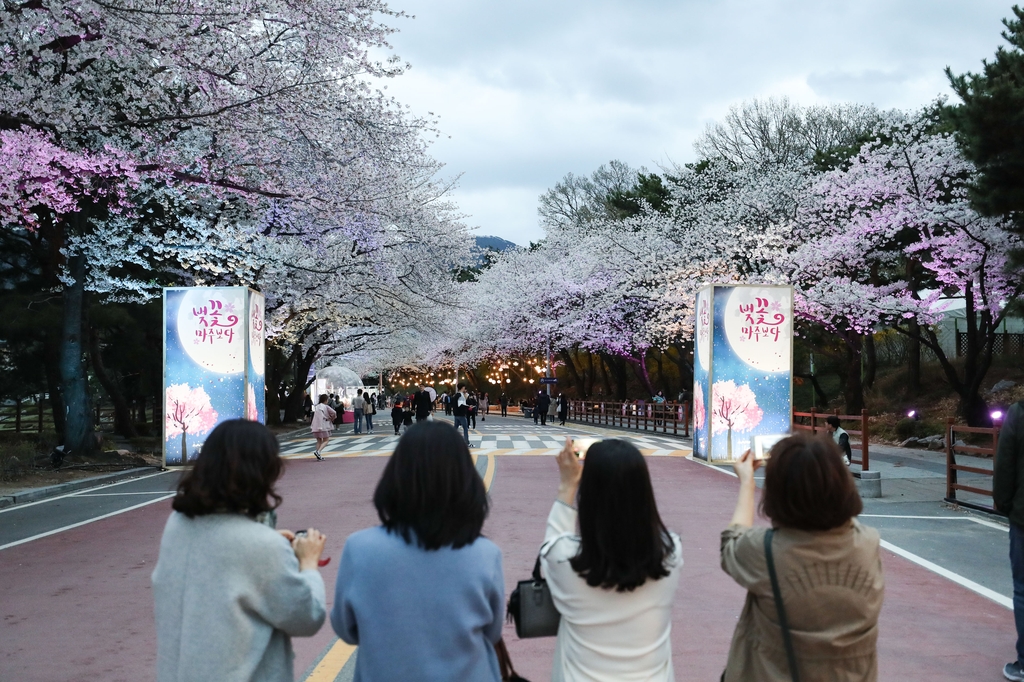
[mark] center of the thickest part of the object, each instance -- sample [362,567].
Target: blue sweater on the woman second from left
[430,617]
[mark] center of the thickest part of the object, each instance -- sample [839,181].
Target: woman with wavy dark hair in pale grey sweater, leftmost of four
[231,591]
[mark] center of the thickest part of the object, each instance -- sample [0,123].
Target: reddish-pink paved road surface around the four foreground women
[78,607]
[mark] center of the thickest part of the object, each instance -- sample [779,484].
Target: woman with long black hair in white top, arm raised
[615,581]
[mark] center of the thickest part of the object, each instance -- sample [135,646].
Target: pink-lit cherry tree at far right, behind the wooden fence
[891,237]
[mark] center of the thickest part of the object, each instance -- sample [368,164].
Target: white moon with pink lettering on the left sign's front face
[212,340]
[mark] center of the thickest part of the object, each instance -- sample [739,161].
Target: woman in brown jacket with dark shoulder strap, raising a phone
[828,568]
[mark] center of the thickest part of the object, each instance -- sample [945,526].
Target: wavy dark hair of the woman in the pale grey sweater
[235,473]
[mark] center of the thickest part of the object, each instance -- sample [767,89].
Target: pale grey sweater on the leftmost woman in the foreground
[229,598]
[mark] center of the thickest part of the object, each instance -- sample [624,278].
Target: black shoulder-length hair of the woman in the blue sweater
[431,493]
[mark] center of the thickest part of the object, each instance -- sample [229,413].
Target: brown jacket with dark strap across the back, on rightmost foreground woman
[832,587]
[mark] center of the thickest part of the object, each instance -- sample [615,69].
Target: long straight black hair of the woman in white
[623,541]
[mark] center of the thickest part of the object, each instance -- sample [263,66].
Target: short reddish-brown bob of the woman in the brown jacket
[808,487]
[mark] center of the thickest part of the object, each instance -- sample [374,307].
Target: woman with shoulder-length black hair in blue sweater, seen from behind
[423,594]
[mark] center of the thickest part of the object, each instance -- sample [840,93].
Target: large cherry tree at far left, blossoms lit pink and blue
[205,119]
